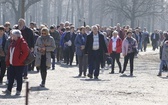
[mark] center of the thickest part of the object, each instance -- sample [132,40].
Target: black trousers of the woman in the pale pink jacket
[130,57]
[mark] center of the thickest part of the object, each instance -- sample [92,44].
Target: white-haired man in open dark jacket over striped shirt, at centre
[95,47]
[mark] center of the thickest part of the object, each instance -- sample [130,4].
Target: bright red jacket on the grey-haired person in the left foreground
[20,53]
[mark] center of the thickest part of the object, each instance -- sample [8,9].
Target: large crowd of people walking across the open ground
[94,48]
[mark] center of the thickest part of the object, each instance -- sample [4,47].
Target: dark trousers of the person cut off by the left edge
[2,69]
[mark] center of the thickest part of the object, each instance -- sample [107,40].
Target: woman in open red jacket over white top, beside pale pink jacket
[114,48]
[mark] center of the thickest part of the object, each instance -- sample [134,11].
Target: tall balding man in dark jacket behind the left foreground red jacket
[28,35]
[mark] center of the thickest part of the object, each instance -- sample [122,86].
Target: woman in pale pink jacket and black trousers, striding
[129,46]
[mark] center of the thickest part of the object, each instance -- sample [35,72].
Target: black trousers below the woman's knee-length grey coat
[43,69]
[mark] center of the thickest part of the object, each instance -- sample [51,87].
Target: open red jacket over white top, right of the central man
[118,46]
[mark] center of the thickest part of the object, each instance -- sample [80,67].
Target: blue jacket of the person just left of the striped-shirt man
[79,41]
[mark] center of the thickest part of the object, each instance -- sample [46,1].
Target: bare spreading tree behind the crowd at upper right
[133,9]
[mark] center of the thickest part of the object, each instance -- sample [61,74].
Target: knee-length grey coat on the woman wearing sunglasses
[49,45]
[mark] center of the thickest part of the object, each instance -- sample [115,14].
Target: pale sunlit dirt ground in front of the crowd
[62,88]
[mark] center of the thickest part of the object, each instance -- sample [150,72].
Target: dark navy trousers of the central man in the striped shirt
[94,63]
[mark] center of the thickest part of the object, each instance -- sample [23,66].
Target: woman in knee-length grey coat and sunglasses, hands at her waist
[45,44]
